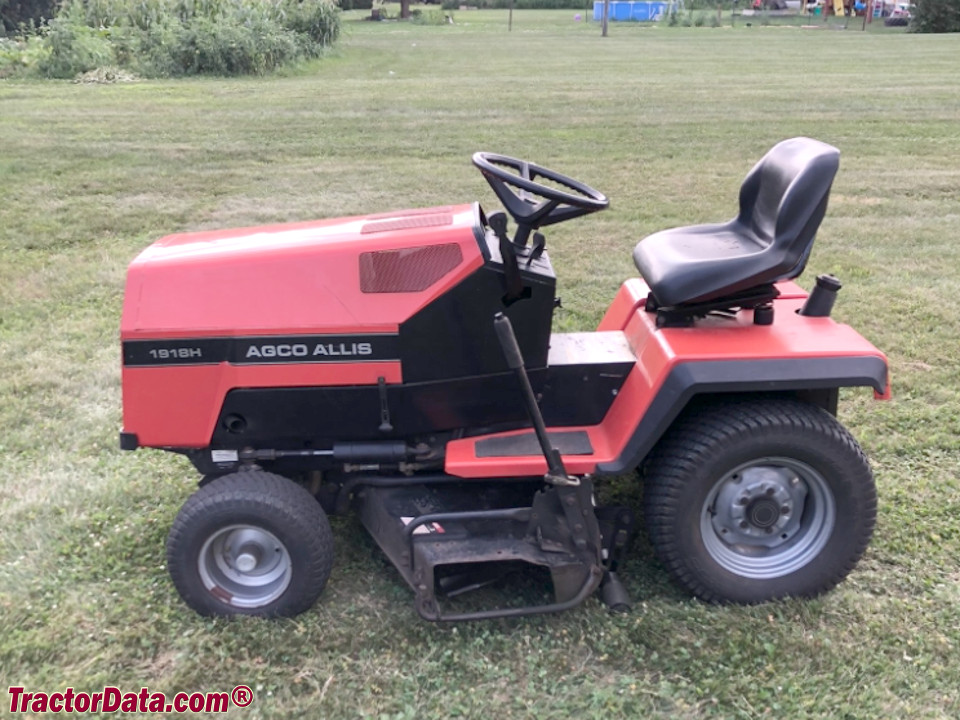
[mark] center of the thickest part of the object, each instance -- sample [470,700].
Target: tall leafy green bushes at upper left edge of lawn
[184,37]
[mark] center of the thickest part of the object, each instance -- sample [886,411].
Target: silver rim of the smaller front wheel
[244,566]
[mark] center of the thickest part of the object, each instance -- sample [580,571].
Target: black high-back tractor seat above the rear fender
[782,202]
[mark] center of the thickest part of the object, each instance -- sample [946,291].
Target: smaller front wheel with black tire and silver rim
[250,543]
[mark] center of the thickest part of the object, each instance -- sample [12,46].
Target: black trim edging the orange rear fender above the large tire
[690,379]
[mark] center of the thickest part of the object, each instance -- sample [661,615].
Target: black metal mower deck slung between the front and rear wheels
[448,539]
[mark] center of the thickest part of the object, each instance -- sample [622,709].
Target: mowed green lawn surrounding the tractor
[666,121]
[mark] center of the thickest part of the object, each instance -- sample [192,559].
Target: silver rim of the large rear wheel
[768,518]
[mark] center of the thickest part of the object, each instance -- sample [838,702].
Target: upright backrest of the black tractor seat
[784,198]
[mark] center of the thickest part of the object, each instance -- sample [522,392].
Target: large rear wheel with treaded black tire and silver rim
[760,499]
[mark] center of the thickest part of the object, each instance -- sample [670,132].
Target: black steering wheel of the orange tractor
[533,204]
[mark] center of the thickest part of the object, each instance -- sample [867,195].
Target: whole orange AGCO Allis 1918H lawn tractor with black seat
[402,365]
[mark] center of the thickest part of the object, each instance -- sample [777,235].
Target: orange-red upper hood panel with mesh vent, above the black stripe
[356,274]
